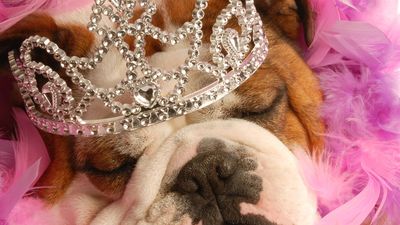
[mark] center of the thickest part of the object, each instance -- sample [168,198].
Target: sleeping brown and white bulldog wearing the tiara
[228,163]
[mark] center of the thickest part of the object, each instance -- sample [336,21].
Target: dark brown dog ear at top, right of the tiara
[290,16]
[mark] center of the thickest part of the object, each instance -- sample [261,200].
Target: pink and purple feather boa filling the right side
[356,54]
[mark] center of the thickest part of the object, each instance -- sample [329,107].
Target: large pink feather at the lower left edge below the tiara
[23,162]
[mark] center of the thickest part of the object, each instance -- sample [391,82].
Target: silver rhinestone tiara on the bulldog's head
[55,108]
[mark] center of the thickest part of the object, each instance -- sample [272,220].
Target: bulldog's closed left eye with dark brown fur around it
[102,162]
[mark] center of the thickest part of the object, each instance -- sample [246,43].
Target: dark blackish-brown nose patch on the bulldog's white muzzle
[217,181]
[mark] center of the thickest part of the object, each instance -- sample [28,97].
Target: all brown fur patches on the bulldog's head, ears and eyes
[283,96]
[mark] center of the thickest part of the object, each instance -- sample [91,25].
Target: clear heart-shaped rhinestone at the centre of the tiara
[147,95]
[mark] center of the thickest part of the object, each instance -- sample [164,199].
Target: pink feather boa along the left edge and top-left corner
[23,160]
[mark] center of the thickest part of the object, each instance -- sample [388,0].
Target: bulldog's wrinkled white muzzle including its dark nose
[217,172]
